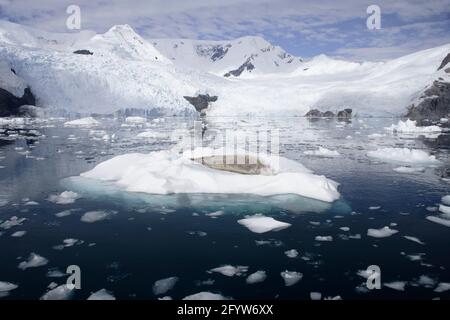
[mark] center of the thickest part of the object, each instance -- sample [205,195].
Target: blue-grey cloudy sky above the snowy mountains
[302,27]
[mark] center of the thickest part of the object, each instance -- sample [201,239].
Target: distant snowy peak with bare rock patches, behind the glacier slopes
[237,58]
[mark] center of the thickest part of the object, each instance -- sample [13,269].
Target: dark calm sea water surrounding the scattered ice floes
[147,238]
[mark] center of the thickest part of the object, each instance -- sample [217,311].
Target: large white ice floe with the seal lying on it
[166,172]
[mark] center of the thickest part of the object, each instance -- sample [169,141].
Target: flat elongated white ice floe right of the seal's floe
[404,155]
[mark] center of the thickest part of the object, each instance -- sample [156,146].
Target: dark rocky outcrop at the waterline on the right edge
[434,104]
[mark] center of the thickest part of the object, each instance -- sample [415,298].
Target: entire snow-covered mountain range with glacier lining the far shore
[102,73]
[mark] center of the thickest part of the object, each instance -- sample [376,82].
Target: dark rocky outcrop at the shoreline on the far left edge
[10,105]
